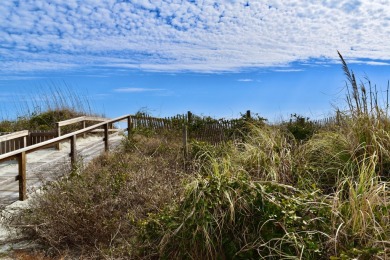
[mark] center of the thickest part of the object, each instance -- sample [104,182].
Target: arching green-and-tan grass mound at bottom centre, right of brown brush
[226,214]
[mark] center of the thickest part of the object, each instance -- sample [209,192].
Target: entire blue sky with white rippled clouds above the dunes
[214,58]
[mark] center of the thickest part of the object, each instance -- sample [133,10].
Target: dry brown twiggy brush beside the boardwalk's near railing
[96,210]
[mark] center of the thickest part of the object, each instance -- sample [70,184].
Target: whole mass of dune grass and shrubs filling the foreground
[278,192]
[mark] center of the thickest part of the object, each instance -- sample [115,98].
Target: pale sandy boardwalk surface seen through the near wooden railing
[48,164]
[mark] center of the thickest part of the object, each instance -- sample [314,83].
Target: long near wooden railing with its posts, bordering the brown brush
[21,154]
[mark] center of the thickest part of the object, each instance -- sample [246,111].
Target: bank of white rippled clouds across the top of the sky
[188,35]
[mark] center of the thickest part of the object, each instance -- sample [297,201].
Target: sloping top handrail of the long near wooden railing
[32,148]
